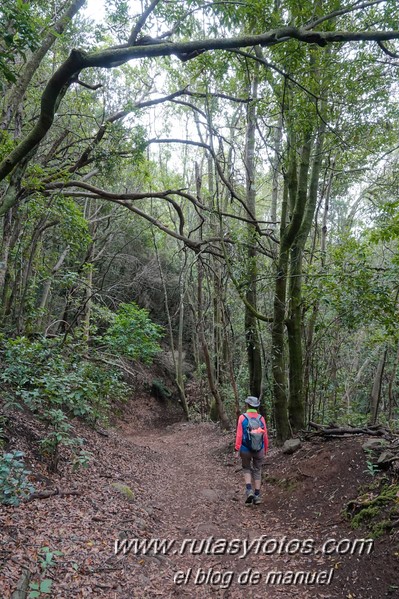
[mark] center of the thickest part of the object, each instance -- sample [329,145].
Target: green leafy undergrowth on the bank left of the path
[57,382]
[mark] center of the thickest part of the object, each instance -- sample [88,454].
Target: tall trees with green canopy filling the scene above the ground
[229,167]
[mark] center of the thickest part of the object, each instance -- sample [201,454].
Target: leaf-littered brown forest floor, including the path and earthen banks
[184,483]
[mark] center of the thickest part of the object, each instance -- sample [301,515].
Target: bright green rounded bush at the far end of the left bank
[133,334]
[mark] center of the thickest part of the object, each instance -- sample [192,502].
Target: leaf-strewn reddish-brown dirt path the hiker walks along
[196,487]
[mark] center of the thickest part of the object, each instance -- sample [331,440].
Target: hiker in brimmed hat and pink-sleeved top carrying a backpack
[251,443]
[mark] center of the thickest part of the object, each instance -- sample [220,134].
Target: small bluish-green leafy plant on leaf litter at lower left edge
[14,482]
